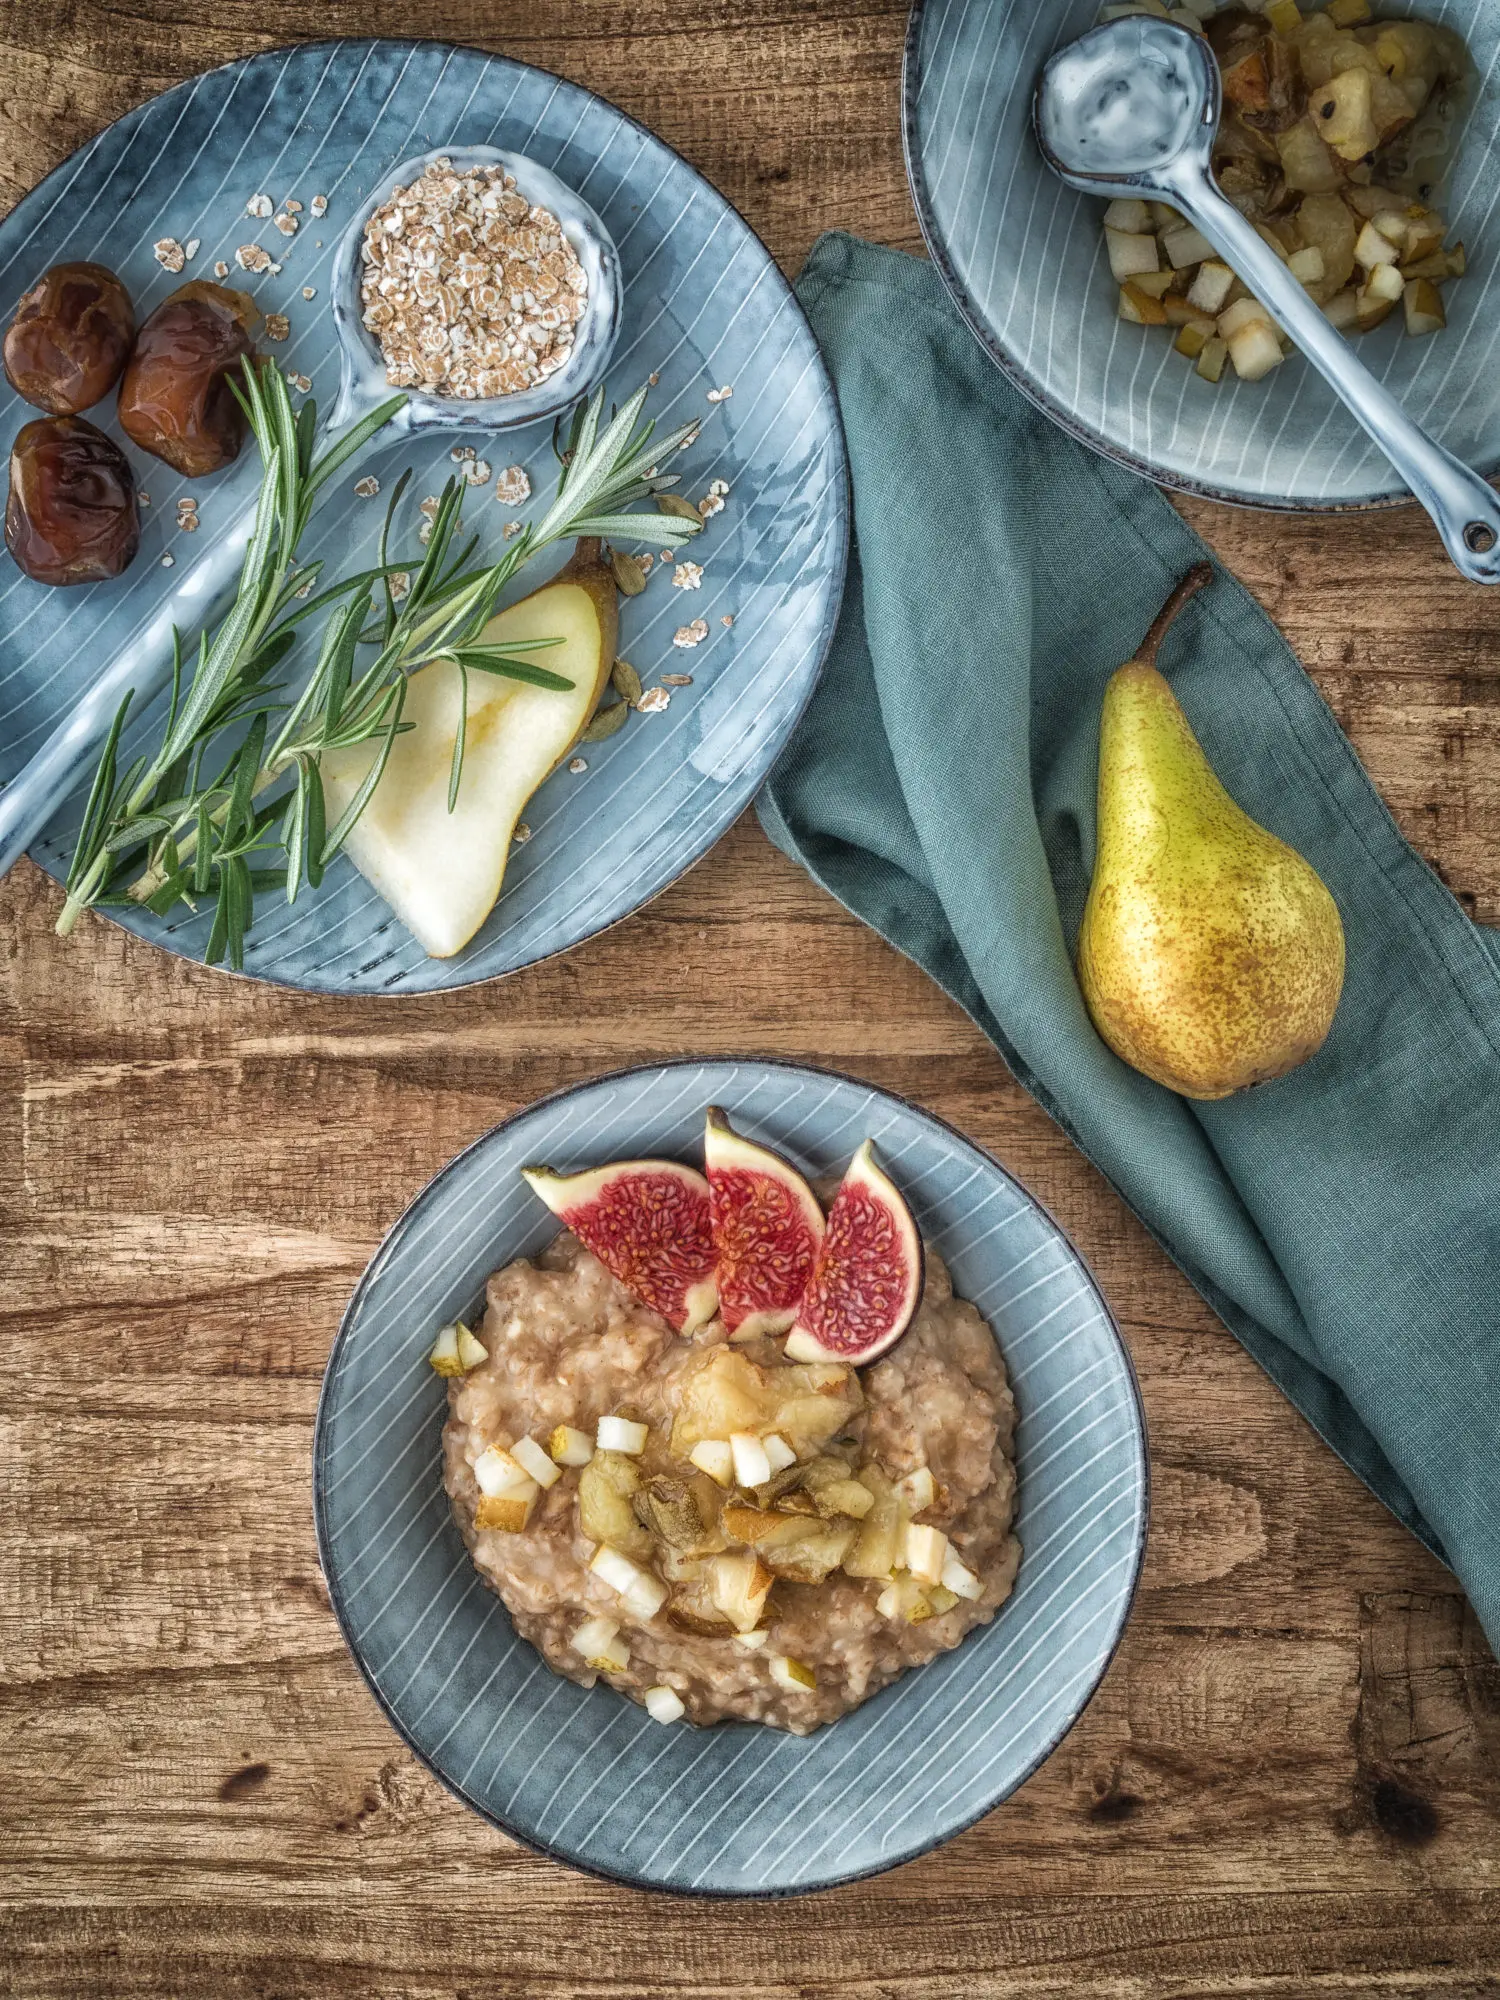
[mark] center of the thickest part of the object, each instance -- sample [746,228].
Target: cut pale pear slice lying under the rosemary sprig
[443,871]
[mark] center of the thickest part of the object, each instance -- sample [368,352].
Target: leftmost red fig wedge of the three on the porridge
[647,1223]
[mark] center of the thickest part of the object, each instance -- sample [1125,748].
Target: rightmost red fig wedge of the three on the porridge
[867,1283]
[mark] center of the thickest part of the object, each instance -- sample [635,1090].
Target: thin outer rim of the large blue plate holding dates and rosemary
[783,287]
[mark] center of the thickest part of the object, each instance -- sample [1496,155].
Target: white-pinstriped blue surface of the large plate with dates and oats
[721,317]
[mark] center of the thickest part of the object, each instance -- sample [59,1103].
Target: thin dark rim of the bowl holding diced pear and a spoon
[1029,387]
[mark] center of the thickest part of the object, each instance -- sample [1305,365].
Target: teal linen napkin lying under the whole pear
[1343,1221]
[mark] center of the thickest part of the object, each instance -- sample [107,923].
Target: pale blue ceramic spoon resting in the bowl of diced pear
[1133,111]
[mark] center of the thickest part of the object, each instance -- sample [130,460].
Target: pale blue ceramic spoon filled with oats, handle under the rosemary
[145,661]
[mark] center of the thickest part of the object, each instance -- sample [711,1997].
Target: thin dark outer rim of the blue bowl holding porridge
[335,1591]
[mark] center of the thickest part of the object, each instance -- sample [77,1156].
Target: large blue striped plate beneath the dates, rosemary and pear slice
[705,309]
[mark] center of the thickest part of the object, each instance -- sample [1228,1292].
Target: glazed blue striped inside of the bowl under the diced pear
[1025,259]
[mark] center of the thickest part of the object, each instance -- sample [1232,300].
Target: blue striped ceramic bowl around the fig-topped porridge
[739,1809]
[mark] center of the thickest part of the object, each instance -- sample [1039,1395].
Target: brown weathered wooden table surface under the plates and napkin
[1291,1779]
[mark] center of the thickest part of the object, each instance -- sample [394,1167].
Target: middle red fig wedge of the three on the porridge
[767,1231]
